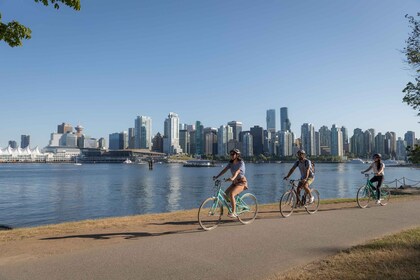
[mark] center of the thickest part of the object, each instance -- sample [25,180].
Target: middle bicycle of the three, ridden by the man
[289,200]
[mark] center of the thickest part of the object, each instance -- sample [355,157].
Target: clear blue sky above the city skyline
[329,62]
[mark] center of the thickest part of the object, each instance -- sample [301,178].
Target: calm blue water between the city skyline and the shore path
[37,194]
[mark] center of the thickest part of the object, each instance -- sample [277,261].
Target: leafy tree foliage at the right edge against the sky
[412,53]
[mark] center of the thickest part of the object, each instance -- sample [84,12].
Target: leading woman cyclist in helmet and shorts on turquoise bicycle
[239,183]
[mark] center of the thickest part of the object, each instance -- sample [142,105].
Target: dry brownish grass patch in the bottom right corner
[392,257]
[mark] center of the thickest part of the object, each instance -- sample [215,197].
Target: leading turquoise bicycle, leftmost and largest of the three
[211,209]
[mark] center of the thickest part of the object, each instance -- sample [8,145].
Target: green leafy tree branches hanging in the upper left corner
[13,32]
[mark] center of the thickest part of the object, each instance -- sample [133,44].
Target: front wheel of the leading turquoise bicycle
[210,213]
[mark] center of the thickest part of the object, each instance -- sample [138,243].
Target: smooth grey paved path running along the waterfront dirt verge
[231,251]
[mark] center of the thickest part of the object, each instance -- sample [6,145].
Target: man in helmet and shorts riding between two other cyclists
[306,174]
